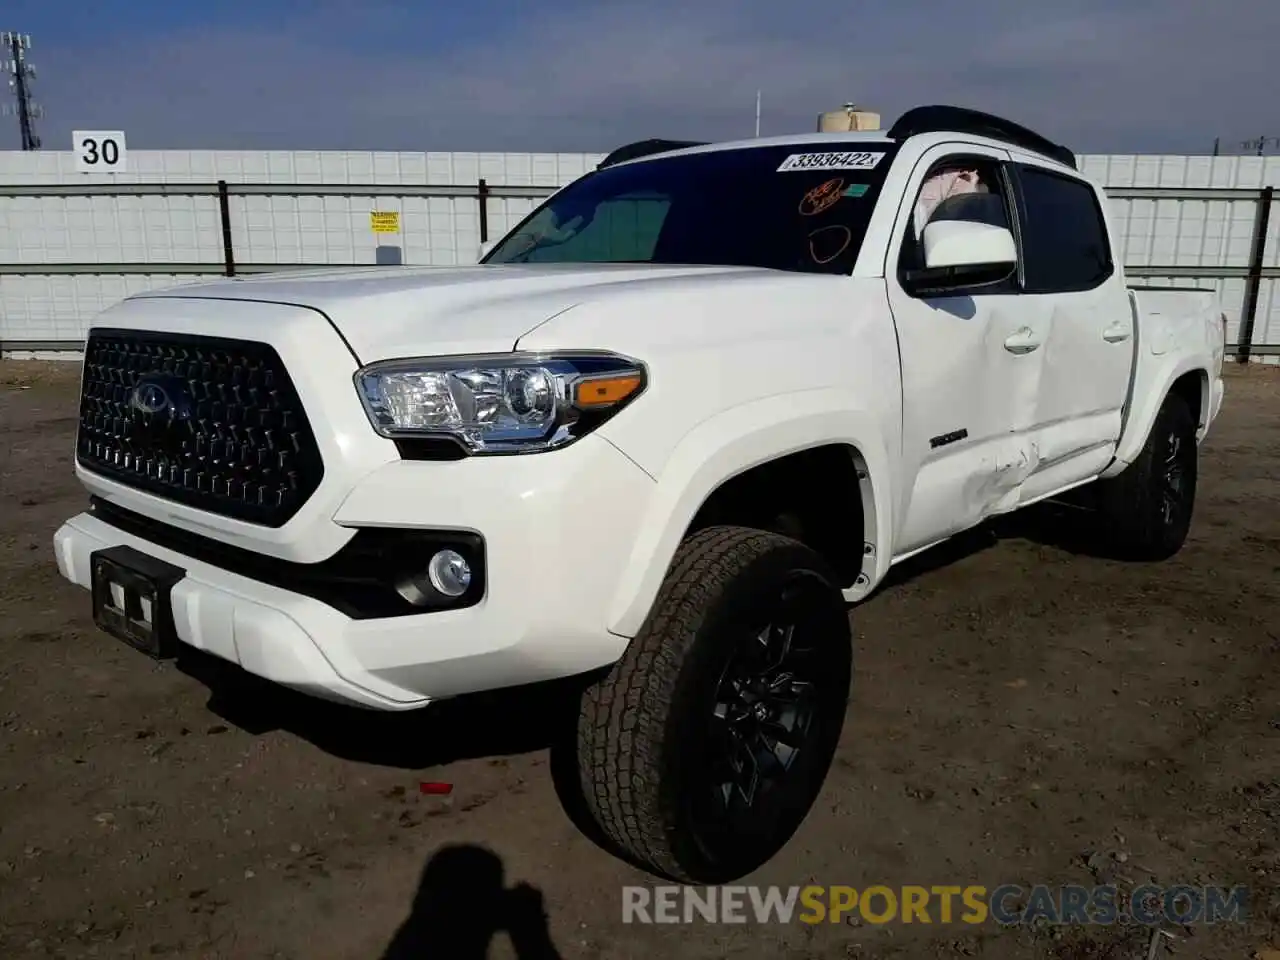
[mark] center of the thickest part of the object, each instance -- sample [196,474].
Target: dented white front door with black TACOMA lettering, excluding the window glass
[971,367]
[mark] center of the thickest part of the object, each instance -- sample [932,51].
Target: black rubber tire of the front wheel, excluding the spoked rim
[641,726]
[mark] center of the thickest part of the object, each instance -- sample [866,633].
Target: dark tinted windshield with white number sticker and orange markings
[801,207]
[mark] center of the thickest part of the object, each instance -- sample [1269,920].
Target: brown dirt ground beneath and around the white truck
[1023,714]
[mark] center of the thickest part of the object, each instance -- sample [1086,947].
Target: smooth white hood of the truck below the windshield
[388,313]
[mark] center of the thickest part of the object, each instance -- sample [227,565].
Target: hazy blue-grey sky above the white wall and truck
[1104,76]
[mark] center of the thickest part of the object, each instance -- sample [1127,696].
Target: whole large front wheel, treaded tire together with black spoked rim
[706,746]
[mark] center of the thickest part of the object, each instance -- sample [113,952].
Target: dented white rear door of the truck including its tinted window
[1075,292]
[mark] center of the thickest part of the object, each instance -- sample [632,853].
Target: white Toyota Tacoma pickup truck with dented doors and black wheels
[657,440]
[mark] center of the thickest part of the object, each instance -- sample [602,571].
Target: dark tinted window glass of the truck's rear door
[1064,237]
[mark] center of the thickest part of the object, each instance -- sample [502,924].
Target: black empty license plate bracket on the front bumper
[132,600]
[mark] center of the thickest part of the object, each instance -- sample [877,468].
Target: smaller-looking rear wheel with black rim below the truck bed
[1135,518]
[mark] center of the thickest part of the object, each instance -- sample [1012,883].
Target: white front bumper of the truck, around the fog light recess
[559,531]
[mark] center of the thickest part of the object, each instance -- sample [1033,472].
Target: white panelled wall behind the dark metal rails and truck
[277,230]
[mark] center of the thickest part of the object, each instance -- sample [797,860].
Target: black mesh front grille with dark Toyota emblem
[209,423]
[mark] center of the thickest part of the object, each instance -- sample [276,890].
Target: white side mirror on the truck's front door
[962,254]
